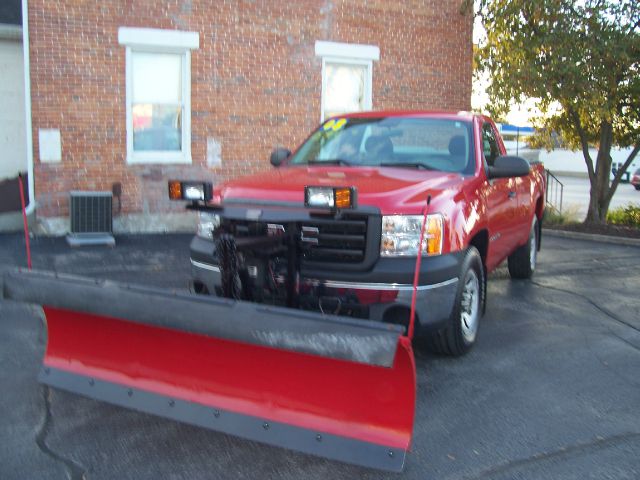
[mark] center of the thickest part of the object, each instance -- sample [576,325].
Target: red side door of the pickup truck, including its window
[502,204]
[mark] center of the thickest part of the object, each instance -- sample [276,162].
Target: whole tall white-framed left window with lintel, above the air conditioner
[158,79]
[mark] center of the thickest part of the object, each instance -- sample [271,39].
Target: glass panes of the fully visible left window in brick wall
[157,101]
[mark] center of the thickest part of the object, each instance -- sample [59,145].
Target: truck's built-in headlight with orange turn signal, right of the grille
[401,235]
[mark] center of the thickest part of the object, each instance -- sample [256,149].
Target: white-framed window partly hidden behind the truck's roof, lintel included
[346,77]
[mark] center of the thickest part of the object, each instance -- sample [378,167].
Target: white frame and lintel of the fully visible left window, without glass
[151,40]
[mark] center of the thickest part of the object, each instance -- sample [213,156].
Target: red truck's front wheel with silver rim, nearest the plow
[459,334]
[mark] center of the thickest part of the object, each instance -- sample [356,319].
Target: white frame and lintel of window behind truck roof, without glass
[348,54]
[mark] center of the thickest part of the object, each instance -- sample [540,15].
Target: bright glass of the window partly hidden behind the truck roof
[345,88]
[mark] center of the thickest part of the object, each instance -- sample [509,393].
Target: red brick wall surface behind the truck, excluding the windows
[255,81]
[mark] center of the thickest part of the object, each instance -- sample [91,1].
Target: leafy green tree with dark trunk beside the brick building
[580,60]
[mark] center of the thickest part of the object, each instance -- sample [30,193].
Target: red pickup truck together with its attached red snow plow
[395,218]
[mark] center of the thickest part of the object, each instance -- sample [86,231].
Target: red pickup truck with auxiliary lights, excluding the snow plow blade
[336,226]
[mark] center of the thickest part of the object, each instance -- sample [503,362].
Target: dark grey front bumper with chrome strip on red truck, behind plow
[383,293]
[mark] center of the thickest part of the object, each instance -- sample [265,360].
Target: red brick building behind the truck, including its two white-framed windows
[133,93]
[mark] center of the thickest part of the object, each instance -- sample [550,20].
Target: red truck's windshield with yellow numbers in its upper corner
[418,143]
